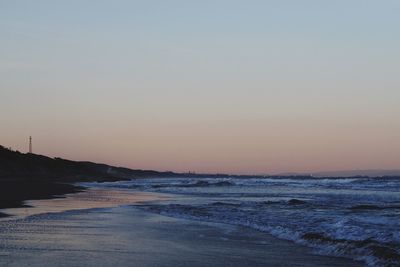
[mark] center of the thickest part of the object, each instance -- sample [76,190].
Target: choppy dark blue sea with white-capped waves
[357,218]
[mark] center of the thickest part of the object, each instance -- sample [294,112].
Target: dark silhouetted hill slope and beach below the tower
[30,176]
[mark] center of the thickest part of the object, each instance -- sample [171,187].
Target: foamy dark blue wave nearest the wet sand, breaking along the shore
[335,239]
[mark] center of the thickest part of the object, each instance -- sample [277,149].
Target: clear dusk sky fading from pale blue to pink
[248,86]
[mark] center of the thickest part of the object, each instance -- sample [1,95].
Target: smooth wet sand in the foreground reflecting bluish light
[127,236]
